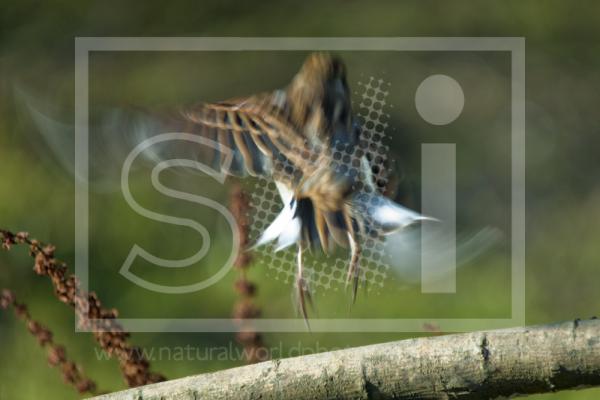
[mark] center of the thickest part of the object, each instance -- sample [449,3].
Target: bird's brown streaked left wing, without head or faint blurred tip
[256,130]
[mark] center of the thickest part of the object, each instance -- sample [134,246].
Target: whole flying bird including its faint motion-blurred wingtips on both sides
[305,138]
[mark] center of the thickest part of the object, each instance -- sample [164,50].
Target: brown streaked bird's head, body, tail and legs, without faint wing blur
[296,136]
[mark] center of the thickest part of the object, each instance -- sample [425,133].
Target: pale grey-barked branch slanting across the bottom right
[479,365]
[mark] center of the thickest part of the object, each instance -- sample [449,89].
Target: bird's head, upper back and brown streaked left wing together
[287,131]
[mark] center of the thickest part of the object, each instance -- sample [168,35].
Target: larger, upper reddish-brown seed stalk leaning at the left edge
[88,309]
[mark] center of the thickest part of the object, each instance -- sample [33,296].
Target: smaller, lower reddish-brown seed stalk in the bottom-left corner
[57,355]
